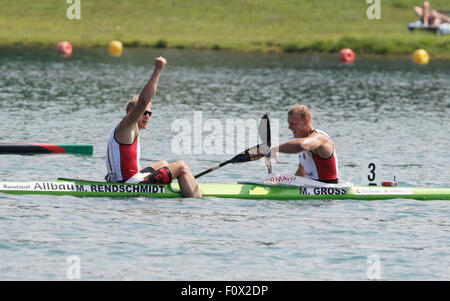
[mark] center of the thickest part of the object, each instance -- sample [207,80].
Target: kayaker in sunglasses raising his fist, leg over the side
[123,151]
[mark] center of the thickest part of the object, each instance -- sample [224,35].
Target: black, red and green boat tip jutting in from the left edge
[7,147]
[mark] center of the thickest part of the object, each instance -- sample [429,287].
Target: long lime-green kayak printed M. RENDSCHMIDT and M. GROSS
[84,188]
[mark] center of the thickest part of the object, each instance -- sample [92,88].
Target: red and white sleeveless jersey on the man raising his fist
[122,160]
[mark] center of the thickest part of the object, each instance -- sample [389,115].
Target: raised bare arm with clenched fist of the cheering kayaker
[127,129]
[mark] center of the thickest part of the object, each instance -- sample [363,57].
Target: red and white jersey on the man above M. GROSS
[317,168]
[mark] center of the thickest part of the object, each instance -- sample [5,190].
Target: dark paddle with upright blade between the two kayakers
[252,153]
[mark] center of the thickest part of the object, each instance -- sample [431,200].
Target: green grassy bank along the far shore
[243,25]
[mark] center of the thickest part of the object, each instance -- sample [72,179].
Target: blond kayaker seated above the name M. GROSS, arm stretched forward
[317,154]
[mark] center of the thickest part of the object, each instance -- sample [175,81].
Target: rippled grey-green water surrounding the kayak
[379,108]
